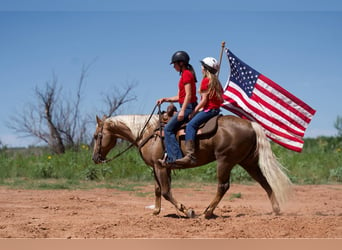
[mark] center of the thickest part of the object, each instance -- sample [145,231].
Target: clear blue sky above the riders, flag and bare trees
[296,45]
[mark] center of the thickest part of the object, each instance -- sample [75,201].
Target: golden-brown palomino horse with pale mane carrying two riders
[236,141]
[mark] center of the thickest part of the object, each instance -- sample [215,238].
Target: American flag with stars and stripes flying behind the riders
[253,96]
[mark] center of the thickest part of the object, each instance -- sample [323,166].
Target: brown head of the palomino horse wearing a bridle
[104,140]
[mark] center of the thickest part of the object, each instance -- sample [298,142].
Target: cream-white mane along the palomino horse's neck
[135,122]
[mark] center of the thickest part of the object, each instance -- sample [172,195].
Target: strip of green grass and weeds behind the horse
[36,168]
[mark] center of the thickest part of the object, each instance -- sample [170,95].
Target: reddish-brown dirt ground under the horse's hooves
[245,212]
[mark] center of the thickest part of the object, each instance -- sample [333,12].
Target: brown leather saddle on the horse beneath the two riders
[205,131]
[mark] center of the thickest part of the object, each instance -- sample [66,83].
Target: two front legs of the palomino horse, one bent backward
[163,178]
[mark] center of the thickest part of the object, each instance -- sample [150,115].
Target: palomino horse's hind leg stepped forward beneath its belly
[223,176]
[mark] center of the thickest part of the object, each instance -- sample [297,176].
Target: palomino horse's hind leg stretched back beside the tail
[255,172]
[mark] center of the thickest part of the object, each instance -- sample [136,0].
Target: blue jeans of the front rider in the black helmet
[171,144]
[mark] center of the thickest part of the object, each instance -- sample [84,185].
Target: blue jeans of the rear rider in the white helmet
[196,121]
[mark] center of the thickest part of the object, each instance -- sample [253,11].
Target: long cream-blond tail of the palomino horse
[270,167]
